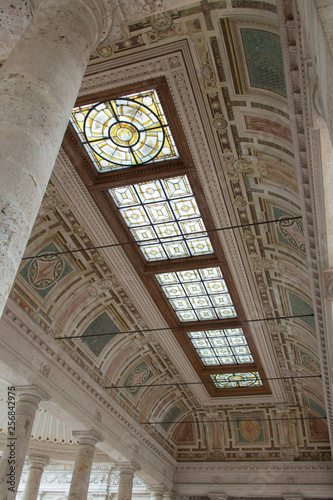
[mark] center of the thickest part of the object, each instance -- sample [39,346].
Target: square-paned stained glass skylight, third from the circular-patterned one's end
[198,294]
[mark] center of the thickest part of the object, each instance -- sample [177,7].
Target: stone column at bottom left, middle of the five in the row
[83,462]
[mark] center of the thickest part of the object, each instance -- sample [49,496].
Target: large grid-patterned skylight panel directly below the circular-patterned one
[164,218]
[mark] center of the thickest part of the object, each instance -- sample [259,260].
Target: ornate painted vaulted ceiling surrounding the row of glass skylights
[223,72]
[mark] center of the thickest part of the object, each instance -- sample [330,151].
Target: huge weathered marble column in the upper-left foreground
[39,83]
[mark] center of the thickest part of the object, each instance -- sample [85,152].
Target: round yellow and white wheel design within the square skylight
[124,132]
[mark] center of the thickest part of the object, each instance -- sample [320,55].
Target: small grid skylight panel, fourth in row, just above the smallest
[221,347]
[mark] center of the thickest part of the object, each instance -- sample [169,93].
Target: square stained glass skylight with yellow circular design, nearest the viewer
[124,132]
